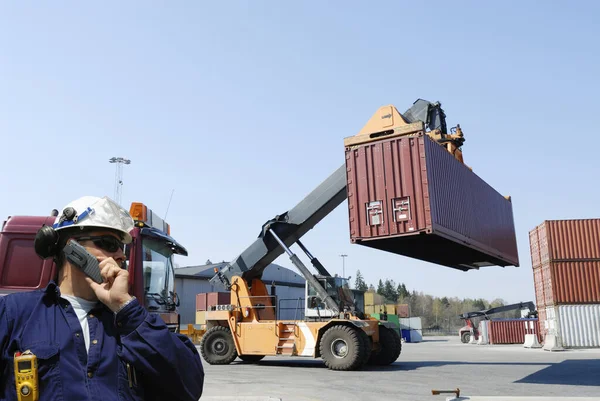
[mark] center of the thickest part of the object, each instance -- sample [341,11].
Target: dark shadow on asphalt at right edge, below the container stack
[575,372]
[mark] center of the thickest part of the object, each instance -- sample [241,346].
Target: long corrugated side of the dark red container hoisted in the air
[467,208]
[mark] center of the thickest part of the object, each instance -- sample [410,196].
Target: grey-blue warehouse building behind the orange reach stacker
[192,280]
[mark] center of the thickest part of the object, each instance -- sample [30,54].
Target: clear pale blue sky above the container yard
[242,108]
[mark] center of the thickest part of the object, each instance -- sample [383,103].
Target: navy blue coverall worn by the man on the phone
[132,355]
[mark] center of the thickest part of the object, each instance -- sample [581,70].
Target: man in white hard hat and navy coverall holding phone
[93,341]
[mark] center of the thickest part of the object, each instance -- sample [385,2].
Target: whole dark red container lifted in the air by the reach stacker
[408,195]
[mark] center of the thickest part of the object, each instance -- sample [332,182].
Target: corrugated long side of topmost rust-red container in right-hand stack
[573,239]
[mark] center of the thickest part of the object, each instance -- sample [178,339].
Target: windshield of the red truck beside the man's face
[158,273]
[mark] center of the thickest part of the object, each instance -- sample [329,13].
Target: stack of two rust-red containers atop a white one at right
[565,256]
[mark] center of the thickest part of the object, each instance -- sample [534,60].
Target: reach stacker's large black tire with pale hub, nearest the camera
[342,348]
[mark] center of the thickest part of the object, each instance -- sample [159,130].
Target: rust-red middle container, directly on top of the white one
[558,283]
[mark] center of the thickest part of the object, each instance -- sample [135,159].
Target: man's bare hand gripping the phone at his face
[114,291]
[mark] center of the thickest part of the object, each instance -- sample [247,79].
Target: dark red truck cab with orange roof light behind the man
[149,261]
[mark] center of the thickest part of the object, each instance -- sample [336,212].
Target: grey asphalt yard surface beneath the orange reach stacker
[442,363]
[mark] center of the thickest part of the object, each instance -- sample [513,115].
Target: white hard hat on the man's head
[91,211]
